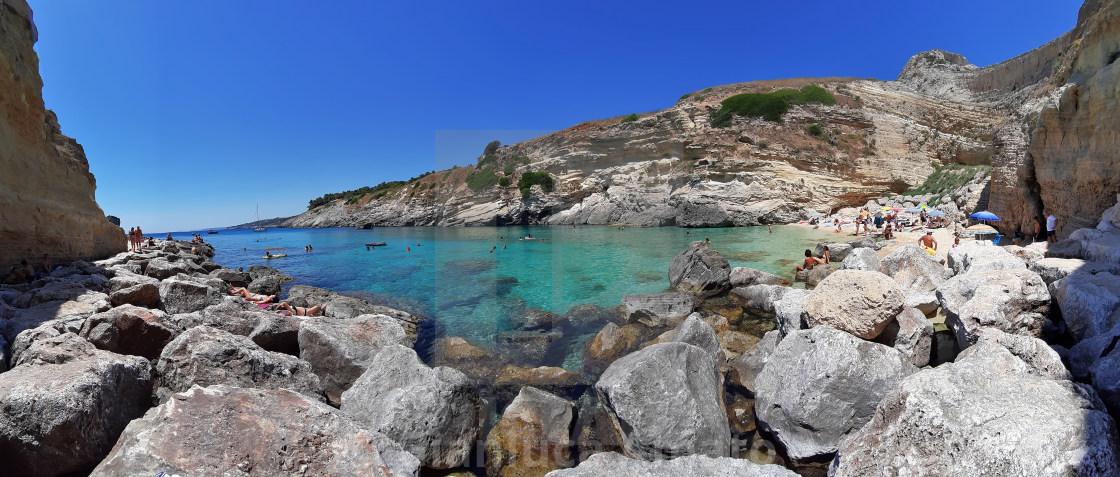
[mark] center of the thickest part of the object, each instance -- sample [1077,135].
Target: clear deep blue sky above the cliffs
[194,113]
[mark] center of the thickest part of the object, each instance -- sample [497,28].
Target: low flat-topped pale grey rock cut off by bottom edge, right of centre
[613,464]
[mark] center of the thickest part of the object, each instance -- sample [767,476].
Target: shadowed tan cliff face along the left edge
[46,191]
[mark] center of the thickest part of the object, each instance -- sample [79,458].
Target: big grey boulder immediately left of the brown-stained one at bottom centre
[434,414]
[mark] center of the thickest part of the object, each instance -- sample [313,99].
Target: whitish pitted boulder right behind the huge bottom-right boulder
[1012,301]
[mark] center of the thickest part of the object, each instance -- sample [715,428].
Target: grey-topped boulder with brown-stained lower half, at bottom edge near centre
[533,438]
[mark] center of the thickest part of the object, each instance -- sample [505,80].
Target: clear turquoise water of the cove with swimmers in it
[451,275]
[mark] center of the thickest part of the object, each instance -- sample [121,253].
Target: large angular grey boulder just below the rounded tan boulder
[823,385]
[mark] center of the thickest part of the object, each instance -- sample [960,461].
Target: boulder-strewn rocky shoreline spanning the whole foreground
[142,363]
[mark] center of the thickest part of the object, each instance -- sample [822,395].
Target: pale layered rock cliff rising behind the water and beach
[1035,119]
